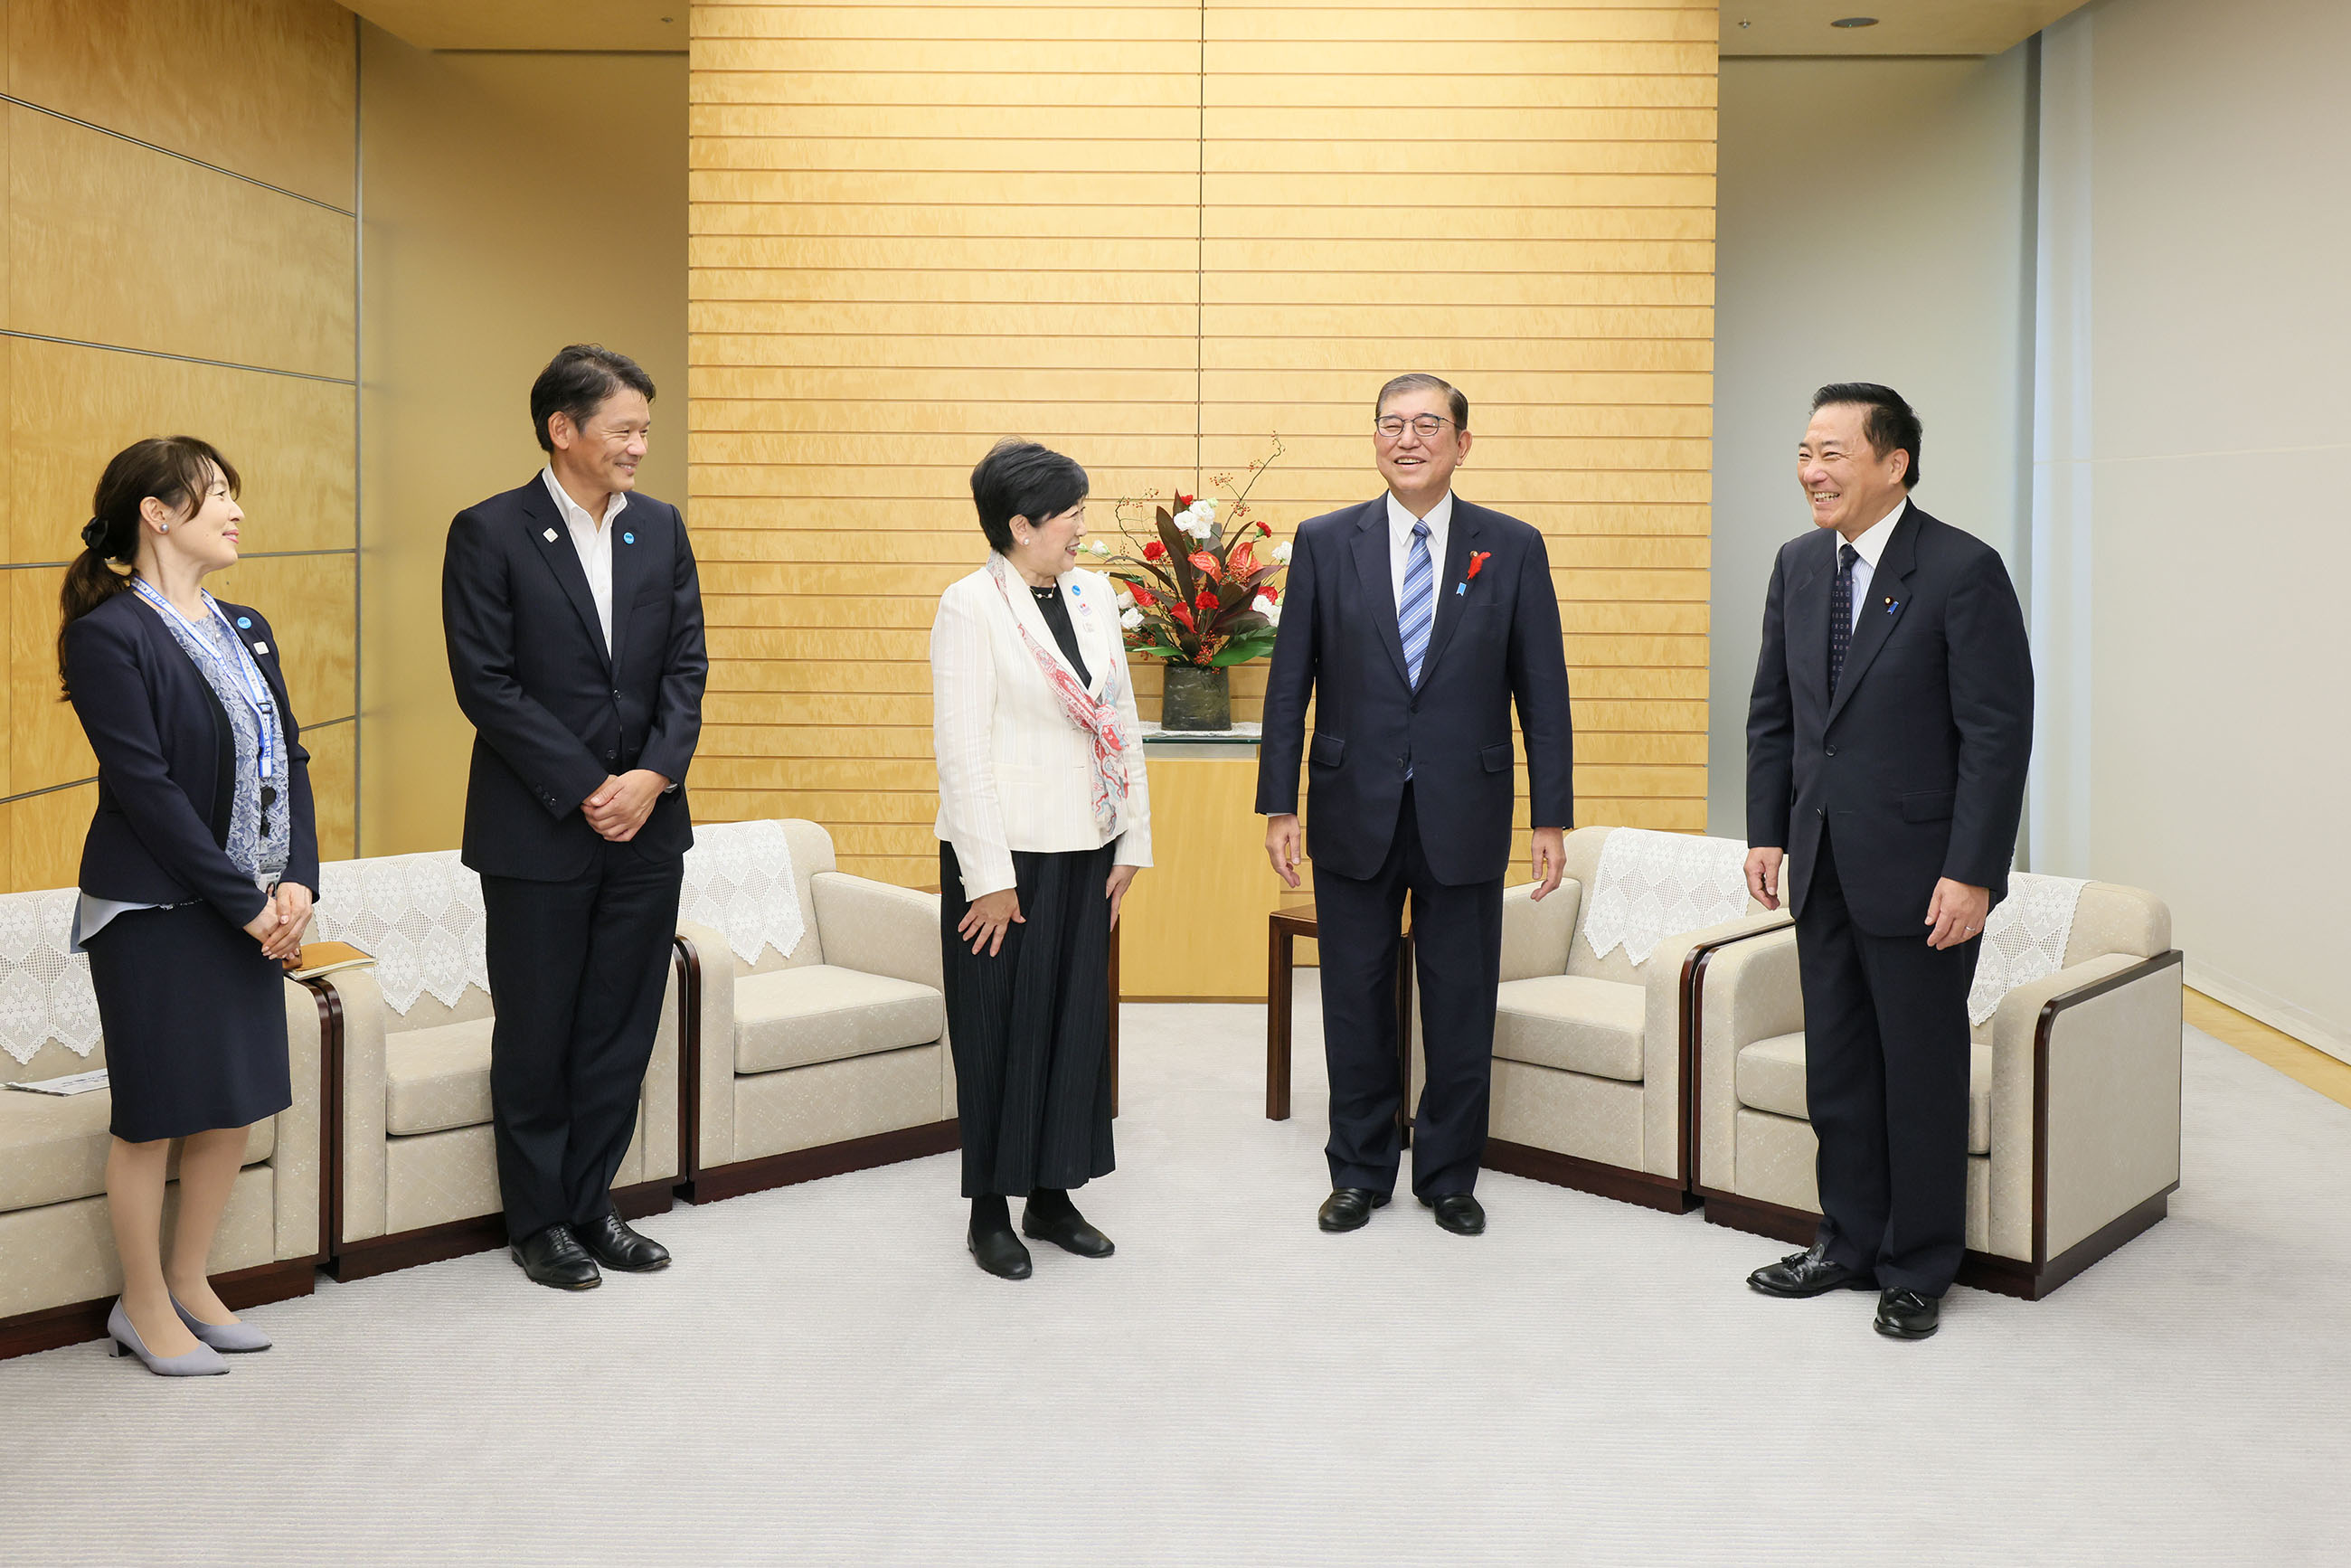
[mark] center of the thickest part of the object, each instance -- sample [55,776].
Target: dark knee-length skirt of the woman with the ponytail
[196,1024]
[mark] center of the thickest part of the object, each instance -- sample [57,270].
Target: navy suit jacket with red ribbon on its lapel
[1492,645]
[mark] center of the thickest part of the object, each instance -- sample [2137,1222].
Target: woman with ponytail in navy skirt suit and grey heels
[196,878]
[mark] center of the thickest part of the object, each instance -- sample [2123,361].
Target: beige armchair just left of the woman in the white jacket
[831,1057]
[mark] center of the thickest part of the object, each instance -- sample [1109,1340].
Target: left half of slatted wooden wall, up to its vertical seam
[916,229]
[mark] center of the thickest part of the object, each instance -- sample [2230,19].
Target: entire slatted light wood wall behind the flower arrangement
[1156,236]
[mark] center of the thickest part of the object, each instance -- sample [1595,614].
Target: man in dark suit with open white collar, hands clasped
[575,629]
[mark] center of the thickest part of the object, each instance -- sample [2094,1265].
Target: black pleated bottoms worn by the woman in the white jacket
[1031,1028]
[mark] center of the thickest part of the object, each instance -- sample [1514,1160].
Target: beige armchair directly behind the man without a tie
[417,1162]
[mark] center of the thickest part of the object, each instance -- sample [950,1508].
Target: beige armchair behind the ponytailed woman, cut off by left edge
[58,1252]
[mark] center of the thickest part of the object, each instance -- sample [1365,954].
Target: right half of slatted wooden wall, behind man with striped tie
[1527,215]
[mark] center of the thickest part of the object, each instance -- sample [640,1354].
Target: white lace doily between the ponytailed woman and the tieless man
[420,916]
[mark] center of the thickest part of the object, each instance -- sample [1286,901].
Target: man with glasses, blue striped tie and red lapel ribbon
[1414,622]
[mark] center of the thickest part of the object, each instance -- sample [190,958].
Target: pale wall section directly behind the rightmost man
[1875,227]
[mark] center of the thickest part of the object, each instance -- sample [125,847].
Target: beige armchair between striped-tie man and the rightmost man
[1588,1052]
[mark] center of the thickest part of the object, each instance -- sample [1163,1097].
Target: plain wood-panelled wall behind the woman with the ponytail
[178,260]
